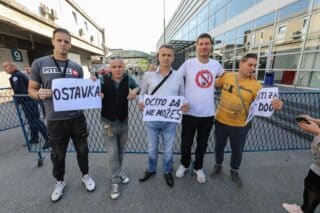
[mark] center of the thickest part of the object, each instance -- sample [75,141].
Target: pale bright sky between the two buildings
[130,24]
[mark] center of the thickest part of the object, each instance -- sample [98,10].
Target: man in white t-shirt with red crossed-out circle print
[199,74]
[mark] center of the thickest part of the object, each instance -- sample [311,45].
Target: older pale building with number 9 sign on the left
[26,29]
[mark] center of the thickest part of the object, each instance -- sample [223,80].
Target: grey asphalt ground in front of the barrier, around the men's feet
[269,178]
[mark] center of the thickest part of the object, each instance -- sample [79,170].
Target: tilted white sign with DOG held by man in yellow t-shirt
[262,104]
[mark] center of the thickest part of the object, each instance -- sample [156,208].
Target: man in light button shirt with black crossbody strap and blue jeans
[172,85]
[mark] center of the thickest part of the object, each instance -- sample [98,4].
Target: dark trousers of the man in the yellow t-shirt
[237,136]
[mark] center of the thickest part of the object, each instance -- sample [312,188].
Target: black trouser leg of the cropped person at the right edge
[311,192]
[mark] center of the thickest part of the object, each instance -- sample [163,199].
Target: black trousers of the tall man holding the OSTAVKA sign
[60,133]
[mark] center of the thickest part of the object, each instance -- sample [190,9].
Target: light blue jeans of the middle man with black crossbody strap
[167,130]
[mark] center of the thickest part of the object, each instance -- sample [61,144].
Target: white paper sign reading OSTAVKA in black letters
[75,94]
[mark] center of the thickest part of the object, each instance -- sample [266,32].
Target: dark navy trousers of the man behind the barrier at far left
[31,111]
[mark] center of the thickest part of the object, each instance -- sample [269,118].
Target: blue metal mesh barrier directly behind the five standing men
[279,132]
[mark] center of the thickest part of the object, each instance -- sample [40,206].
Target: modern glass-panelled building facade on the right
[284,34]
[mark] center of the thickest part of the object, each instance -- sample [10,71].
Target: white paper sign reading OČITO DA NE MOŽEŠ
[162,108]
